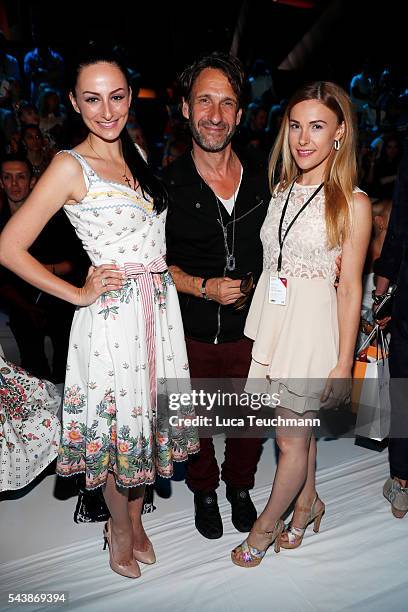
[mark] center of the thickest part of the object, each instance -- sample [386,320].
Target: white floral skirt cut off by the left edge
[29,425]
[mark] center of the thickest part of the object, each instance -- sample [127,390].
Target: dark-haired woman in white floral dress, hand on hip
[127,346]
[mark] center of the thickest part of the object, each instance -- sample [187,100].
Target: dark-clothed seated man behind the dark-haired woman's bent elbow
[34,315]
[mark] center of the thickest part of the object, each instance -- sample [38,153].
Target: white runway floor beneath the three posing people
[359,560]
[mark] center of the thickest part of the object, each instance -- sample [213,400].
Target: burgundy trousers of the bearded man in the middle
[225,360]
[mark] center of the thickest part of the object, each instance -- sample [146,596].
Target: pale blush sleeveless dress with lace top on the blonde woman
[296,346]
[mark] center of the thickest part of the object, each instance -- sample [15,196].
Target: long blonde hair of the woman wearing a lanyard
[341,169]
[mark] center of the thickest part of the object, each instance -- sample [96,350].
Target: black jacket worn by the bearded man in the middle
[195,240]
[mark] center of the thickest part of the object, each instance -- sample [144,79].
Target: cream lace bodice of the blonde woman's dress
[305,250]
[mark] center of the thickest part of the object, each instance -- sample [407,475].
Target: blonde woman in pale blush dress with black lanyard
[304,331]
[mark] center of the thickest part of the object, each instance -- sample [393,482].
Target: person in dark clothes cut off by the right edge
[393,266]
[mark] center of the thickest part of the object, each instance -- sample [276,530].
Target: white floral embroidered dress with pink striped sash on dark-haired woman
[123,346]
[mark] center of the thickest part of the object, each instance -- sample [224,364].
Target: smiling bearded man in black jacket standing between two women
[218,201]
